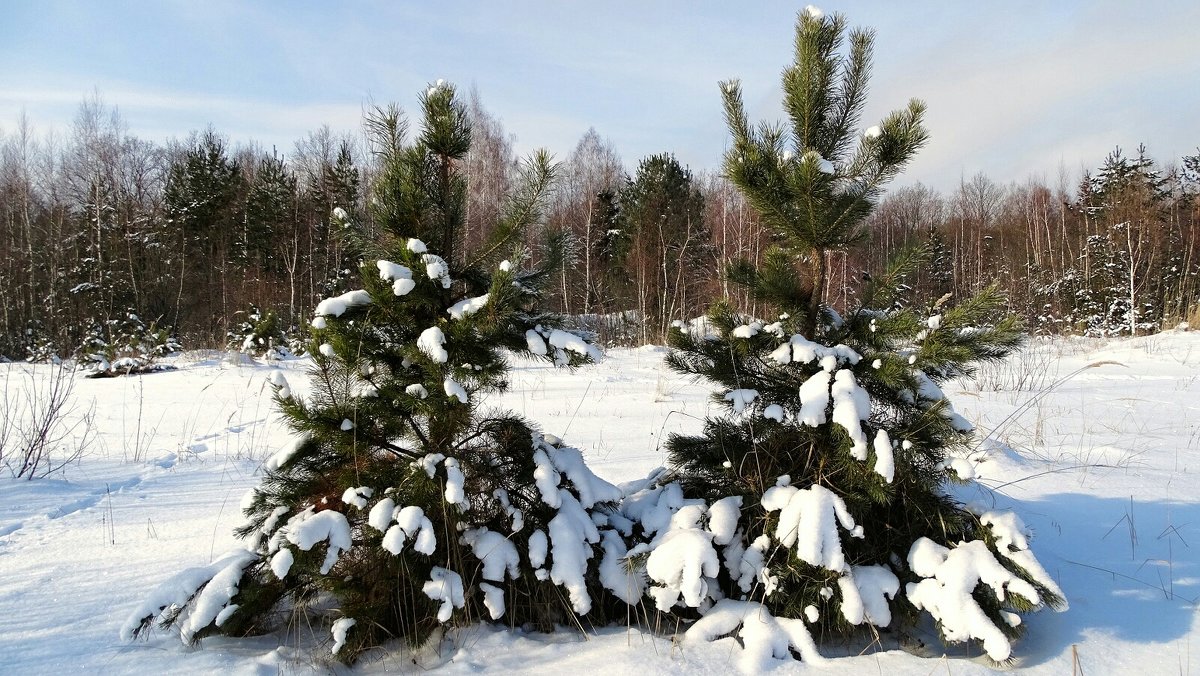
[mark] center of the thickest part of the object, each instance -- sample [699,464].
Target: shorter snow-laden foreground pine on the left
[405,505]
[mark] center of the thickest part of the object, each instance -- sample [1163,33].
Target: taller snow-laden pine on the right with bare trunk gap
[818,502]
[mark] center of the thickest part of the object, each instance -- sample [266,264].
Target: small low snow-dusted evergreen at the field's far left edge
[124,346]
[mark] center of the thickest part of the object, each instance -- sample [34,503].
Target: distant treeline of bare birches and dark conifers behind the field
[194,236]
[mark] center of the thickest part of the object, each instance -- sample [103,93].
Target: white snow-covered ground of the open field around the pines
[1105,466]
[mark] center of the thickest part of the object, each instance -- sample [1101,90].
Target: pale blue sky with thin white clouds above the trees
[1013,89]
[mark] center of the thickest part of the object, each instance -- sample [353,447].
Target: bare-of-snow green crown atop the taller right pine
[815,183]
